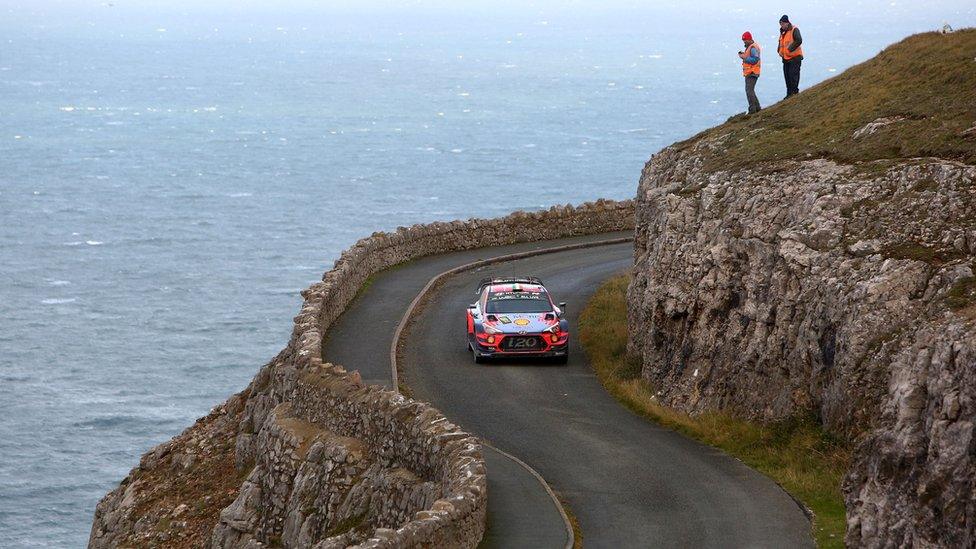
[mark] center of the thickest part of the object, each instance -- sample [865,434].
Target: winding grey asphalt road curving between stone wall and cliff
[629,482]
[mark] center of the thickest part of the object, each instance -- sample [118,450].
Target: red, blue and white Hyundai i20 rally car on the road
[515,317]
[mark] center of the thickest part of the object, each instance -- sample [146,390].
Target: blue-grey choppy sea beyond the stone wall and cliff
[172,176]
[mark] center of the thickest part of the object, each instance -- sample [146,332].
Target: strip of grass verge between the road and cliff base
[797,453]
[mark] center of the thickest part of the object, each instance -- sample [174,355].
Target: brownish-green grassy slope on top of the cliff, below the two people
[929,79]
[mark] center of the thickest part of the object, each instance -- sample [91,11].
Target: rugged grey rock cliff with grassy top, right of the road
[819,257]
